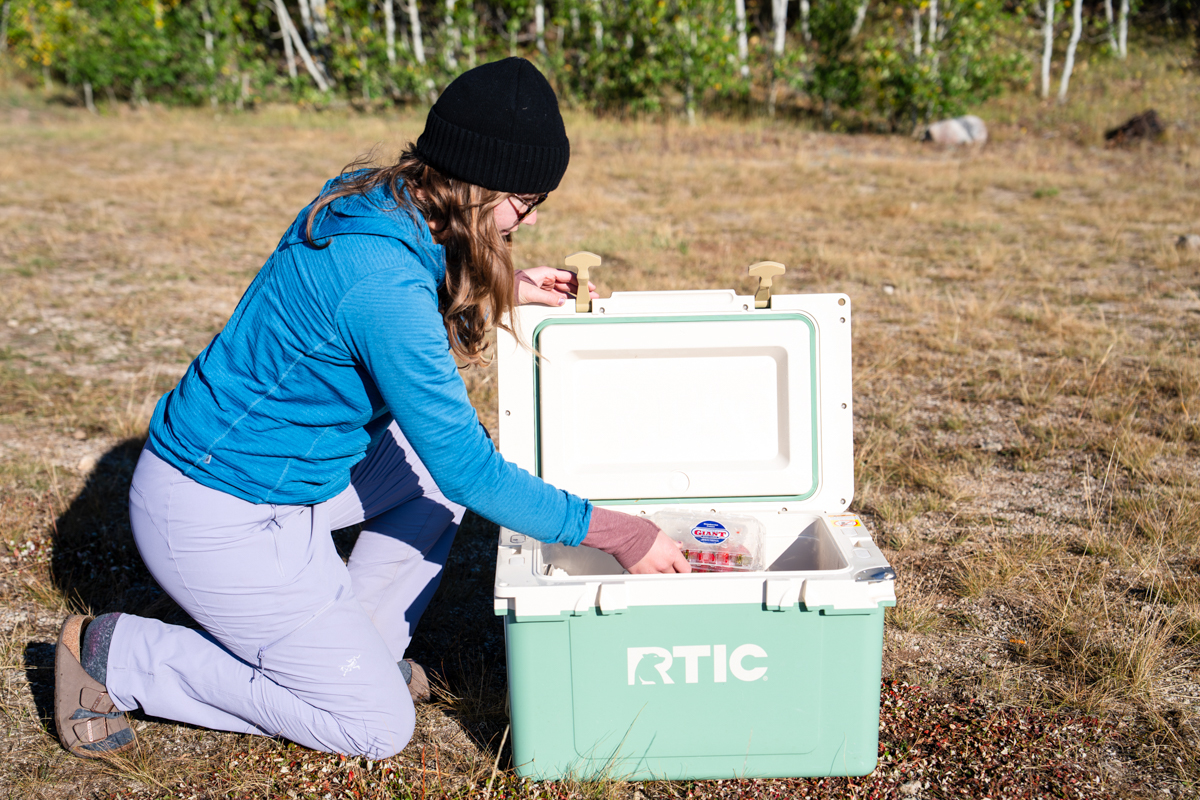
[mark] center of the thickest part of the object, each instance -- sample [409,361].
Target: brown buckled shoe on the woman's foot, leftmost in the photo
[88,723]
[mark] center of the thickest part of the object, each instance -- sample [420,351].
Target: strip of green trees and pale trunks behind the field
[881,65]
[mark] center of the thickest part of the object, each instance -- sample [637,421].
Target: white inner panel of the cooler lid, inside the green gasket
[679,408]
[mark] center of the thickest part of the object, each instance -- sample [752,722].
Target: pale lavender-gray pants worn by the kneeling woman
[296,643]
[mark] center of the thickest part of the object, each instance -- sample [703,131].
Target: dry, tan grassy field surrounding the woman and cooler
[1028,418]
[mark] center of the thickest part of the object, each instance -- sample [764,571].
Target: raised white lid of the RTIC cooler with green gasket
[685,398]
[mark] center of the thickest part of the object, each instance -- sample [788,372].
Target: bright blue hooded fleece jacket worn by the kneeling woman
[325,348]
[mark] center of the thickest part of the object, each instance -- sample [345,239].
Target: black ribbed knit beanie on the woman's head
[499,127]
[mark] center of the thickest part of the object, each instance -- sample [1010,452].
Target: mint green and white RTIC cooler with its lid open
[712,404]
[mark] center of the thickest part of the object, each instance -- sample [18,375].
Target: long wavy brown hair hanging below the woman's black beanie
[478,291]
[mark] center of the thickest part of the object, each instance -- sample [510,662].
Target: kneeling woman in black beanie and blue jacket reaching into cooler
[333,399]
